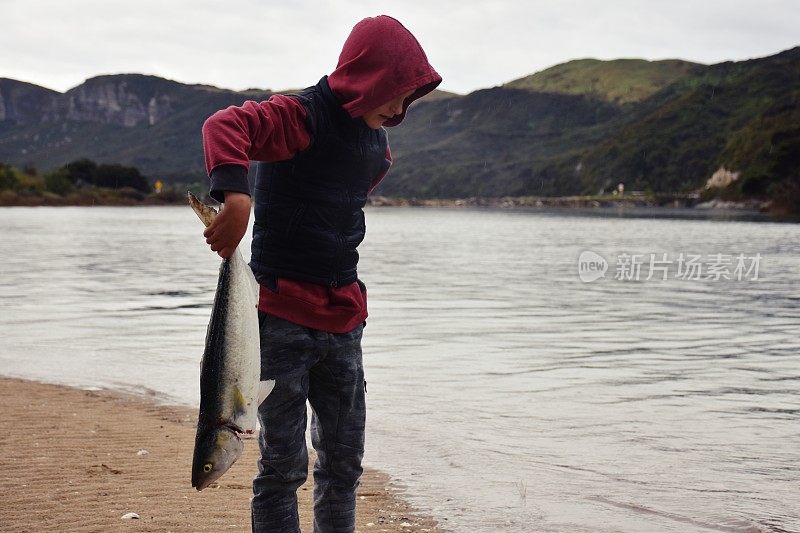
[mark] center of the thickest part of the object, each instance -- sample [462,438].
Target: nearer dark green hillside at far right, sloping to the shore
[715,117]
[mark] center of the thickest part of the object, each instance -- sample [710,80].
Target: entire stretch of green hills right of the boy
[583,138]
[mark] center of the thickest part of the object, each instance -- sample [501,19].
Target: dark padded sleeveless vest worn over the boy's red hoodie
[309,216]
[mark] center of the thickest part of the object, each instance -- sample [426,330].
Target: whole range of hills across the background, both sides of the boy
[580,127]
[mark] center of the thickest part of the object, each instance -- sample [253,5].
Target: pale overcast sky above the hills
[290,44]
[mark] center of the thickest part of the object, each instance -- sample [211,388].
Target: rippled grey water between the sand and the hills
[504,394]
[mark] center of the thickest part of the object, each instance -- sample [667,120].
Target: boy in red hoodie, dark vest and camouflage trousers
[321,152]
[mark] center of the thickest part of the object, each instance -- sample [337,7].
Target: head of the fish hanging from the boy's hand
[214,453]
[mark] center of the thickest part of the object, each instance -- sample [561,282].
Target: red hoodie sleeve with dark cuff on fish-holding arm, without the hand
[272,130]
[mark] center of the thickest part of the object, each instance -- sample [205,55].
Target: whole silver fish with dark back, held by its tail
[230,369]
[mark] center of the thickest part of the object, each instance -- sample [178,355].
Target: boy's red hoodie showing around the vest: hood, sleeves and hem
[380,61]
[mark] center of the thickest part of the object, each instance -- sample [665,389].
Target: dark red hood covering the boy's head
[380,61]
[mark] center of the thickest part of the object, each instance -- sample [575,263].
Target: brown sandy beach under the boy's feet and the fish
[78,460]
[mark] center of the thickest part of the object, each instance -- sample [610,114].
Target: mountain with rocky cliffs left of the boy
[133,119]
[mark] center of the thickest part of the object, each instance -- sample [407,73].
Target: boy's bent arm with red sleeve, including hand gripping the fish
[272,130]
